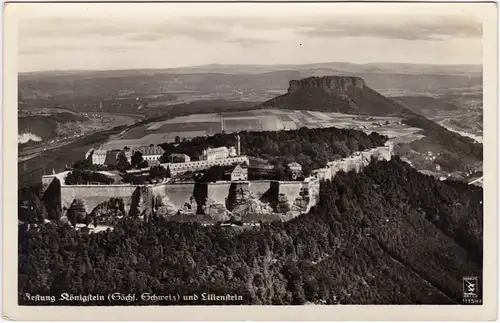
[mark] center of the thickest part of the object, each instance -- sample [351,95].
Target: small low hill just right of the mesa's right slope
[424,105]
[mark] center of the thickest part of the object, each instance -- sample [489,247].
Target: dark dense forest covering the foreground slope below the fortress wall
[388,235]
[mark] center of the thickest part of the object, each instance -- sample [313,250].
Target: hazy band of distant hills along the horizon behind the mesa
[238,81]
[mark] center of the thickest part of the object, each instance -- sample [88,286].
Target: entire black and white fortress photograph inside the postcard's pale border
[250,154]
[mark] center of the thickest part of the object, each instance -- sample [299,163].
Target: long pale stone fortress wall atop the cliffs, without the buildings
[288,197]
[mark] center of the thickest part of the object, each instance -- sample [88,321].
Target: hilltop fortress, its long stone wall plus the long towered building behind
[259,200]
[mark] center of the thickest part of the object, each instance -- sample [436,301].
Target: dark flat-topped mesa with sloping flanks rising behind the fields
[343,94]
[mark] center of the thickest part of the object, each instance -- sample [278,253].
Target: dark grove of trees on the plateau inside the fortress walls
[312,148]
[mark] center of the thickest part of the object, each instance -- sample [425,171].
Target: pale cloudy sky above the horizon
[108,36]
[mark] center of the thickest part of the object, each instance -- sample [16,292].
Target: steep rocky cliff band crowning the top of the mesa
[328,83]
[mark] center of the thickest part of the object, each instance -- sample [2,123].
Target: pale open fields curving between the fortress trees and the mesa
[255,120]
